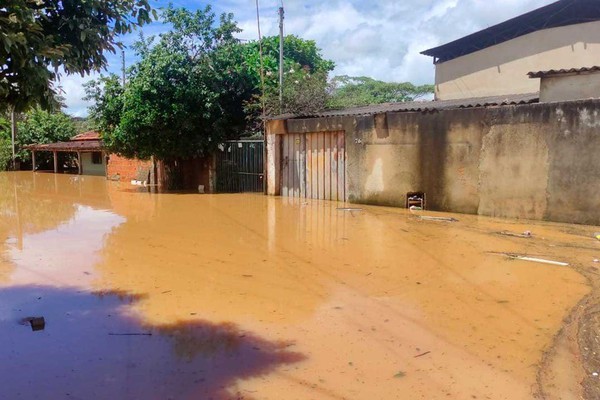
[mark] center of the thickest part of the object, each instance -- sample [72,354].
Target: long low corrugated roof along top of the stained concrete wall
[419,106]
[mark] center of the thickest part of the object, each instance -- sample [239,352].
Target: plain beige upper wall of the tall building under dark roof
[502,69]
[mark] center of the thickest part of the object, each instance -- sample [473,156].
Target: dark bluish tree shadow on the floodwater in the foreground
[94,347]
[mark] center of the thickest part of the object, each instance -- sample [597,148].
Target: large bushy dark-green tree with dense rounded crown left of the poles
[183,96]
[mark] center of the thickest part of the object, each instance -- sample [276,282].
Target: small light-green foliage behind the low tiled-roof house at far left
[39,126]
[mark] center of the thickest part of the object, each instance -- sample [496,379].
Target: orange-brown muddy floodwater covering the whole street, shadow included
[243,296]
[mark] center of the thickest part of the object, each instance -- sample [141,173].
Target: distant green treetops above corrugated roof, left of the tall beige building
[361,91]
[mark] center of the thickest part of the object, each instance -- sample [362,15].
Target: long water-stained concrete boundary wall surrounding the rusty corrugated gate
[535,161]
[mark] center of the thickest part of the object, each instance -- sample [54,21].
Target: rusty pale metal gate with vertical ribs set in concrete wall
[314,166]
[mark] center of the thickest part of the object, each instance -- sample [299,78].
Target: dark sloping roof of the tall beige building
[560,13]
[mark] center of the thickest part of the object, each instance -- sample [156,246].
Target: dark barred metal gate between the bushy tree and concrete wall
[240,166]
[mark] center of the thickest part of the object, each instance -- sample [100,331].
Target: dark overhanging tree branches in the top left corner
[39,36]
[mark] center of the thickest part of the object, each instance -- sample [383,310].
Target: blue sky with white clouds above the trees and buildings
[381,39]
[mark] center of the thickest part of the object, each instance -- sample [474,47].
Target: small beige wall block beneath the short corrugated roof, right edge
[570,87]
